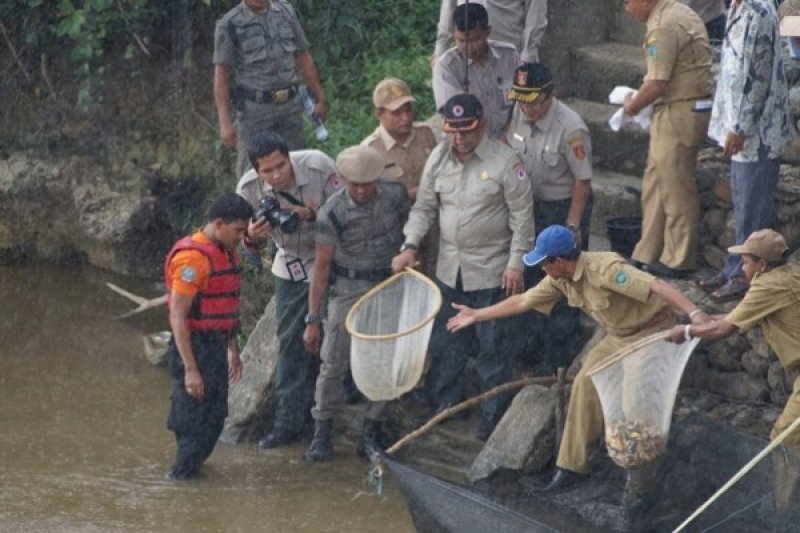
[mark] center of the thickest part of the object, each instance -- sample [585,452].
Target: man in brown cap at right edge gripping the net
[771,302]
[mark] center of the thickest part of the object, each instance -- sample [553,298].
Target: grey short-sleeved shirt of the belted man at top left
[260,47]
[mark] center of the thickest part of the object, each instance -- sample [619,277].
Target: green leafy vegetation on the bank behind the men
[355,43]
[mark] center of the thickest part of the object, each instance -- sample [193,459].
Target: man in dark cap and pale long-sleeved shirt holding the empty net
[481,194]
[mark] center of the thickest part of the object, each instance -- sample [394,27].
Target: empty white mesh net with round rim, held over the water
[389,328]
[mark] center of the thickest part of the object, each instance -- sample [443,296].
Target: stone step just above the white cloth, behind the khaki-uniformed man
[599,67]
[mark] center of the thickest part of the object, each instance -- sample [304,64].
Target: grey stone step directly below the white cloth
[622,151]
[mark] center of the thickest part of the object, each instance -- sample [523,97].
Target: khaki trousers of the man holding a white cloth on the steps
[670,201]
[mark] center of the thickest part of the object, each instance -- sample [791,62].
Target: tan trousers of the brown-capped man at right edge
[787,464]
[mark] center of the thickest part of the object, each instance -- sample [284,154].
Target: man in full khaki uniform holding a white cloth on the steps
[677,84]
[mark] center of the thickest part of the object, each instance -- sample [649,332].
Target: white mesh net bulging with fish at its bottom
[637,389]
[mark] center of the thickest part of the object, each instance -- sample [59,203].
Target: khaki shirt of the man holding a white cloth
[676,49]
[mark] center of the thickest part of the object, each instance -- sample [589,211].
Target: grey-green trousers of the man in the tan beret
[335,351]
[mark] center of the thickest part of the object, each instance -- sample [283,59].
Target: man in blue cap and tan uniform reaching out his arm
[627,303]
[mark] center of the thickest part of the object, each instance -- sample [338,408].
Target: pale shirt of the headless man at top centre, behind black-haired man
[517,22]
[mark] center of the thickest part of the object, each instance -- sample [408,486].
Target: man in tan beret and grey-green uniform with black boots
[358,231]
